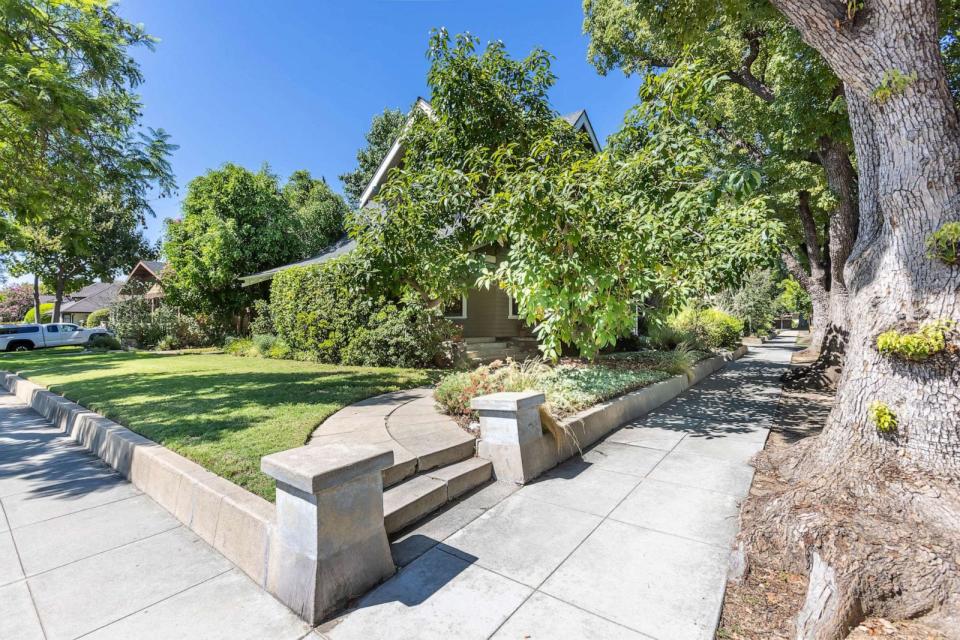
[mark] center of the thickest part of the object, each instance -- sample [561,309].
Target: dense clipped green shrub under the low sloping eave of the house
[316,309]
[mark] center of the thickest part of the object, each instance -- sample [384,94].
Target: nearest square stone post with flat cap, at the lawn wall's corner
[329,544]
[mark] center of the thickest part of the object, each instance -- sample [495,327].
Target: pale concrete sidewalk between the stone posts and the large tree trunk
[631,541]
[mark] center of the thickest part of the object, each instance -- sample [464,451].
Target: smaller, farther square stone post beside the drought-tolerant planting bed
[511,436]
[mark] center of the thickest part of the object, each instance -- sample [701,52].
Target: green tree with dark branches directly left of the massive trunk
[764,76]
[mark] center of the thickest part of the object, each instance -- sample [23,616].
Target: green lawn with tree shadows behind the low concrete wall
[223,412]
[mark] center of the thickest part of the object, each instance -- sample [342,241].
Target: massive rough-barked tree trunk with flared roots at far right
[877,517]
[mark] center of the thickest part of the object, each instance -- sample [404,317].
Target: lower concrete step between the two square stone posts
[423,494]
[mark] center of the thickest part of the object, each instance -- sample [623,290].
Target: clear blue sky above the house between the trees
[295,83]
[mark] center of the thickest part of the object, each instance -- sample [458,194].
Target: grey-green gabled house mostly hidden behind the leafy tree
[484,314]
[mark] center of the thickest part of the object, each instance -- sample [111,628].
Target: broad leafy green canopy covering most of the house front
[587,237]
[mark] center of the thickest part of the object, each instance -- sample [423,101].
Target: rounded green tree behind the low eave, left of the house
[235,222]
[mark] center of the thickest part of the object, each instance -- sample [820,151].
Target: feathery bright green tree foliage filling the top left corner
[69,117]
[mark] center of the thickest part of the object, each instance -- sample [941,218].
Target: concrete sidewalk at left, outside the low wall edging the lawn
[85,554]
